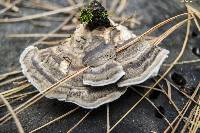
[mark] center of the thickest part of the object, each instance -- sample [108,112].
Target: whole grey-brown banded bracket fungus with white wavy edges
[109,73]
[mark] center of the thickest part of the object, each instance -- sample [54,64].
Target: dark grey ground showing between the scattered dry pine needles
[142,119]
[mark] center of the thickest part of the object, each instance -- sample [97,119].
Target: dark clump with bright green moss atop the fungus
[95,15]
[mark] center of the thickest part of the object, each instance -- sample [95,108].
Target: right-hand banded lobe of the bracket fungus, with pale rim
[140,62]
